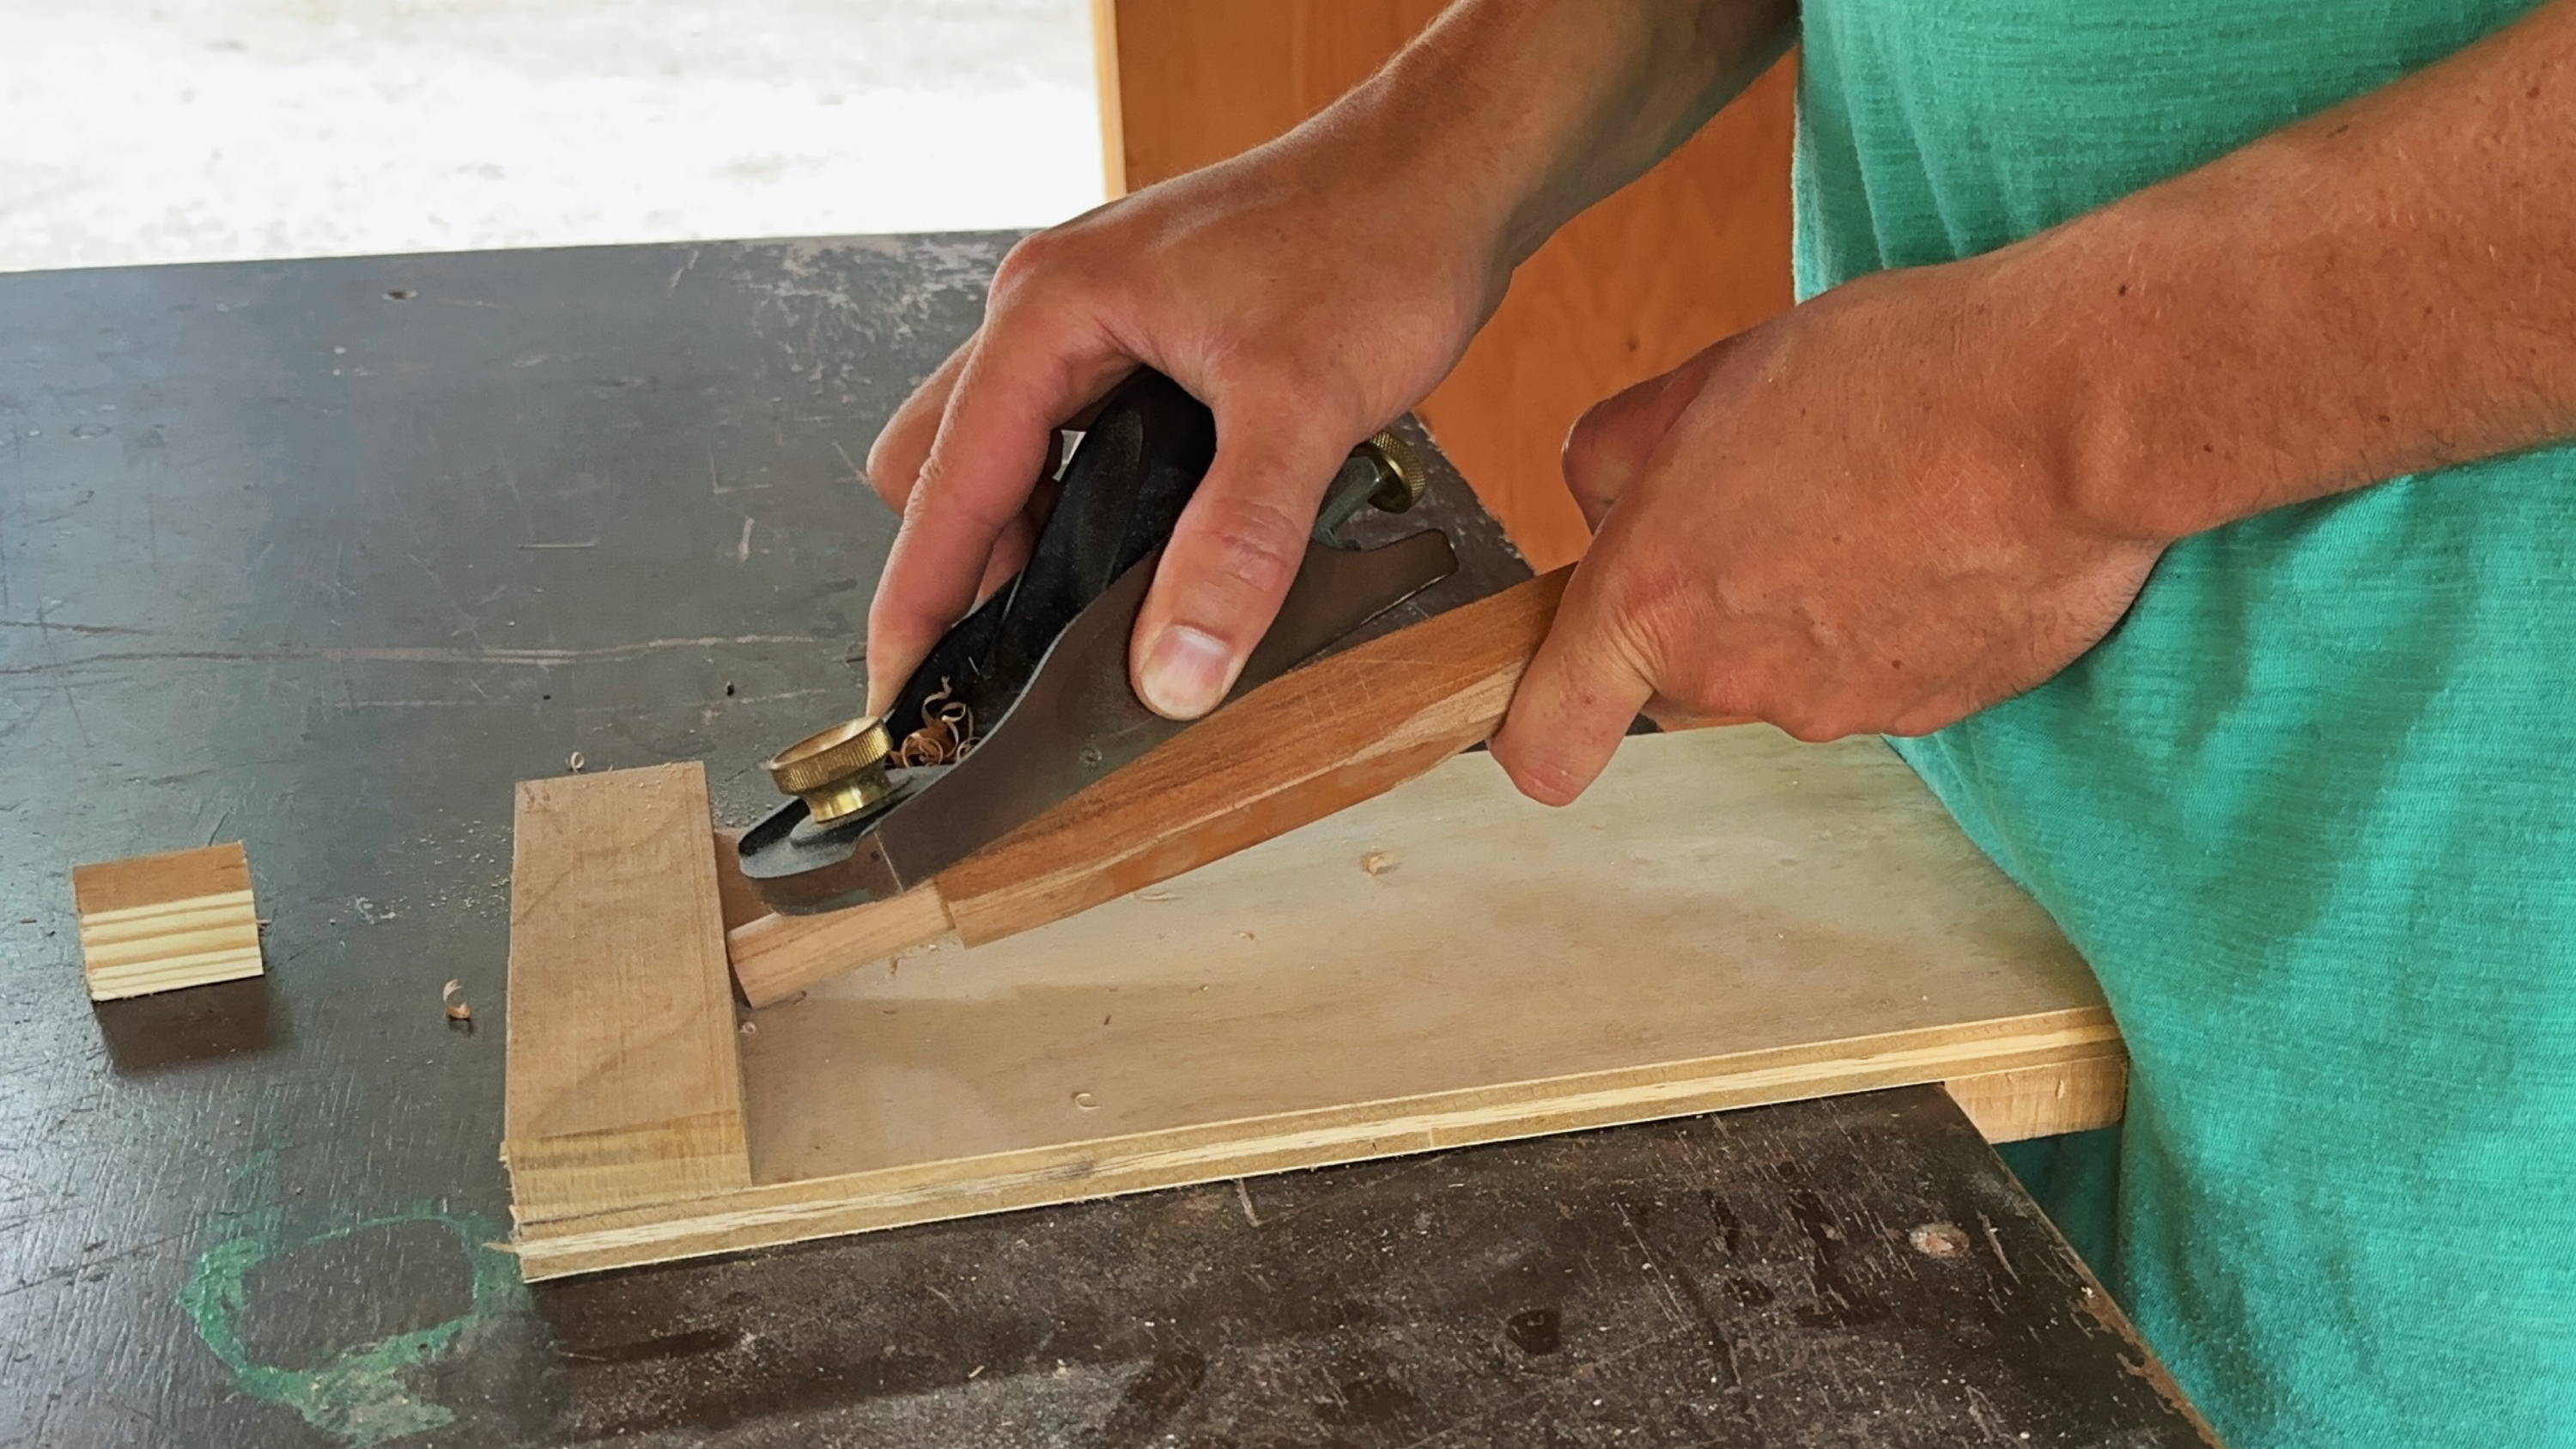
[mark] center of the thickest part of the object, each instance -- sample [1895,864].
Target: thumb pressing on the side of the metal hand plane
[1233,558]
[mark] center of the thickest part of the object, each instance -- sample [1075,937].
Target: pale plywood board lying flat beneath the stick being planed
[1727,919]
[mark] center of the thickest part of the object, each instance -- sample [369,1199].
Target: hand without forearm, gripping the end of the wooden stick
[1851,520]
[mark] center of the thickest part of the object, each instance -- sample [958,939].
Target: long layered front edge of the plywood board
[1001,1182]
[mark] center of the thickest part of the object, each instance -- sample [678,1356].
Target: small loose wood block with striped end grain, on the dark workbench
[166,922]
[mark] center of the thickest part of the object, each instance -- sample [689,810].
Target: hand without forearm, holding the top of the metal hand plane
[1302,293]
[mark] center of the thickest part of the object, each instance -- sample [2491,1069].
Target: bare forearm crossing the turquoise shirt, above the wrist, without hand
[2382,290]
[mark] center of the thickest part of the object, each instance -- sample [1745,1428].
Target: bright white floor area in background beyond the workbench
[213,130]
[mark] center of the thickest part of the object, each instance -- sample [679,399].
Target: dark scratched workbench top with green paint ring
[326,556]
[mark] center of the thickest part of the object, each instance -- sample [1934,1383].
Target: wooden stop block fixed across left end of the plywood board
[622,1082]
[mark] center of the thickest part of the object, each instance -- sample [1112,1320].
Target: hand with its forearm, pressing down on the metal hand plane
[1307,293]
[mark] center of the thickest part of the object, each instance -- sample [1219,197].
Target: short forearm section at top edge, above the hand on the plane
[1516,115]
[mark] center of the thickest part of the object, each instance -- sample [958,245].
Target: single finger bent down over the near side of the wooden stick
[1575,703]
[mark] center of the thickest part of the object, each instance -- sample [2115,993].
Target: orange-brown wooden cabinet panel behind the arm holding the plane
[1686,257]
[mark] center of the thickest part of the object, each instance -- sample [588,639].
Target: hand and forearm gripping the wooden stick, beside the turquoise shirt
[1933,489]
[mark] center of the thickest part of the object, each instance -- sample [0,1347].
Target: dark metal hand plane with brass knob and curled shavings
[1027,700]
